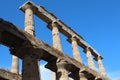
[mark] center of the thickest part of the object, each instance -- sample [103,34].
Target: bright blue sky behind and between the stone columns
[97,21]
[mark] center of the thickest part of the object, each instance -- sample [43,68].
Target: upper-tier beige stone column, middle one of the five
[75,49]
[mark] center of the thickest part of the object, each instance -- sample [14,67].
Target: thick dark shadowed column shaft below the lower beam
[30,68]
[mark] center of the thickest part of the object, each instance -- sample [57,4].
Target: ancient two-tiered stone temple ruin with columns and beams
[25,46]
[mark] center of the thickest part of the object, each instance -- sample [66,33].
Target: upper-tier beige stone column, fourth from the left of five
[90,59]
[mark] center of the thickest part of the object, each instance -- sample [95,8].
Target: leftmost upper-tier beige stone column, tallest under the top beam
[29,21]
